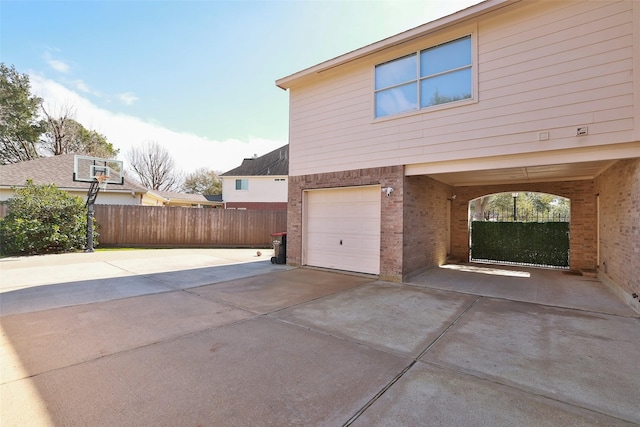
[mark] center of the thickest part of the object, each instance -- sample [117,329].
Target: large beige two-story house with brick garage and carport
[389,143]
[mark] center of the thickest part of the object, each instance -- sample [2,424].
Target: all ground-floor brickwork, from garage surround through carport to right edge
[414,218]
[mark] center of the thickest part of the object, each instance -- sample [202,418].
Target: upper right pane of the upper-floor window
[445,57]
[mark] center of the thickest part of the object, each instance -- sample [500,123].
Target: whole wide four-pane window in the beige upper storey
[430,77]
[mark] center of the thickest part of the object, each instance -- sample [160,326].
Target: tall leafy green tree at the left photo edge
[20,127]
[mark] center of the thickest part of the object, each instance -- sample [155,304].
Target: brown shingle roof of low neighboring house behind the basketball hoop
[56,170]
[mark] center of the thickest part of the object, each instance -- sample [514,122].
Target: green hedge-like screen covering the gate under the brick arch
[525,242]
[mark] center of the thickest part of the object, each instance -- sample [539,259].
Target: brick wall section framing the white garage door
[391,212]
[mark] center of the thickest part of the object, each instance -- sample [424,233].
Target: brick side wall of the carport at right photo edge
[619,190]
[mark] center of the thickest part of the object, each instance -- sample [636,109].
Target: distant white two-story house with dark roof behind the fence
[258,183]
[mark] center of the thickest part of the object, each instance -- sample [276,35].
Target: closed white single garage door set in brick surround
[342,229]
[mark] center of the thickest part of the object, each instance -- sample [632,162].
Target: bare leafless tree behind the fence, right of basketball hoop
[154,167]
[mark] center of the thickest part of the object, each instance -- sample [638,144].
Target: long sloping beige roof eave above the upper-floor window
[404,37]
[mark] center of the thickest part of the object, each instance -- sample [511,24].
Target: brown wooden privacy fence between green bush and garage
[158,226]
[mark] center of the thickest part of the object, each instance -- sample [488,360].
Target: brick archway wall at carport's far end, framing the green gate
[582,253]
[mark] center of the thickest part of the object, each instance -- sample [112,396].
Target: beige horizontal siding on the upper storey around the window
[541,66]
